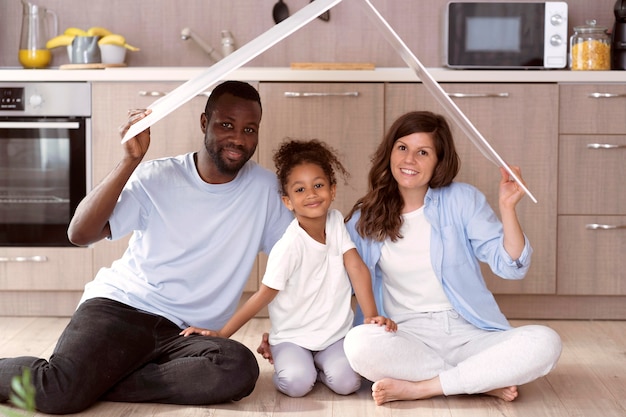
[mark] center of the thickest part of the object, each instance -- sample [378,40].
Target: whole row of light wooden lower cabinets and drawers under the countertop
[577,229]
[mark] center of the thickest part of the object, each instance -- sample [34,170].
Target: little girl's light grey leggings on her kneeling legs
[296,369]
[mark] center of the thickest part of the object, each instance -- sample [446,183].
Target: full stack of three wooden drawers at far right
[592,201]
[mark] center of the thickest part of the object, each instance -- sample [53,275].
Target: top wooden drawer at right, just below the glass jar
[592,109]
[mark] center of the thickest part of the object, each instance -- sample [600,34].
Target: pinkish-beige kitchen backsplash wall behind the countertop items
[155,26]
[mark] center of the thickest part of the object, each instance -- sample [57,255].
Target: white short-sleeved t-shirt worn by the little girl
[313,306]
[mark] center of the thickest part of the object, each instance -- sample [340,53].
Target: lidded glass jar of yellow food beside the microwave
[590,48]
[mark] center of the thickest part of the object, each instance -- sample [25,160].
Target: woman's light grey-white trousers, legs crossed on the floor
[468,360]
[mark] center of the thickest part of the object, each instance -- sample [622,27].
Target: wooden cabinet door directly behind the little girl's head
[347,116]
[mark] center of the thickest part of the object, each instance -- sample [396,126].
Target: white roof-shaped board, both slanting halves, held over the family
[218,71]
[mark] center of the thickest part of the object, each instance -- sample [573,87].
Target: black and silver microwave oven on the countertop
[515,35]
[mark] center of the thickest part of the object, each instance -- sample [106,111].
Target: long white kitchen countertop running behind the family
[286,74]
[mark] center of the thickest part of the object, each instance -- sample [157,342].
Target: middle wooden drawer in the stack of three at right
[591,174]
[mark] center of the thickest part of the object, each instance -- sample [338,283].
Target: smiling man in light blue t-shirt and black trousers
[198,221]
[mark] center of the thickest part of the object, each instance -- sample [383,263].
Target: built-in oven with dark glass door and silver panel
[45,160]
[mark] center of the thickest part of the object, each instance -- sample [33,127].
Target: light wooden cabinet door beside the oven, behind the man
[177,133]
